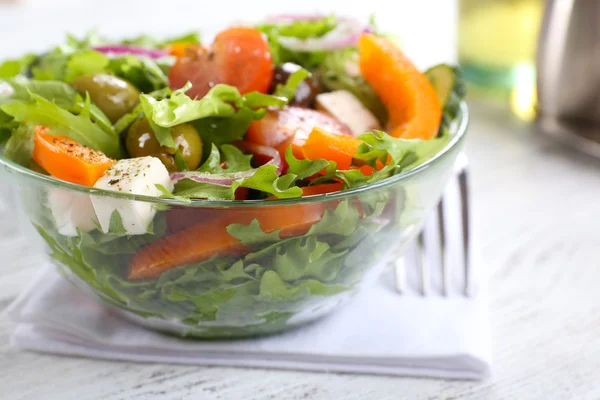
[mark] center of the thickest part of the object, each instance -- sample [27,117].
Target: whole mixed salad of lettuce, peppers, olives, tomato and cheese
[292,107]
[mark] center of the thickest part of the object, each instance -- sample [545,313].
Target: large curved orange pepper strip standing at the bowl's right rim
[412,102]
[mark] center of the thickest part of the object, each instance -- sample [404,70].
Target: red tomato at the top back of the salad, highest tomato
[239,56]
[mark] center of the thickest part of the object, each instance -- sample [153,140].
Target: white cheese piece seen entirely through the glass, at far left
[71,211]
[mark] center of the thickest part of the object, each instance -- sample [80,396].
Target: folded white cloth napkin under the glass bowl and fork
[378,332]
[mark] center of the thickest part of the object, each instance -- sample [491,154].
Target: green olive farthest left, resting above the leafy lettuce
[114,96]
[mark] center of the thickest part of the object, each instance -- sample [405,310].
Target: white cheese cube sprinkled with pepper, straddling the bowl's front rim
[134,176]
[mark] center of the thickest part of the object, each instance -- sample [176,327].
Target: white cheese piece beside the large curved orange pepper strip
[347,108]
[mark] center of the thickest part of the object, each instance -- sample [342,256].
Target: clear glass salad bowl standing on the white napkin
[264,282]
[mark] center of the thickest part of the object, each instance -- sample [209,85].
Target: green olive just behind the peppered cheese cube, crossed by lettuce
[141,142]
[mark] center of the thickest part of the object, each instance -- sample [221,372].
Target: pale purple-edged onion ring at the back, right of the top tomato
[346,33]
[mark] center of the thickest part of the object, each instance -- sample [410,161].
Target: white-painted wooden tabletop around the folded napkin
[536,211]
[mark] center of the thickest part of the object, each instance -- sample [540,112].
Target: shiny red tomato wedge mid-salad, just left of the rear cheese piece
[291,126]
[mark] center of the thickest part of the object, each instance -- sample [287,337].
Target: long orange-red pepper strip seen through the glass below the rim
[205,239]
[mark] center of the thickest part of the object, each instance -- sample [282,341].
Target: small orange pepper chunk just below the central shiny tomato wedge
[332,147]
